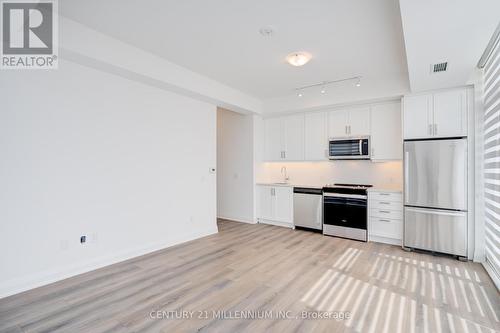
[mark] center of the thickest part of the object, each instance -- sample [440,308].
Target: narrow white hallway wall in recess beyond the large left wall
[235,175]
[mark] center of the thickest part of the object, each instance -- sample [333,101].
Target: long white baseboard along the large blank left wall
[19,285]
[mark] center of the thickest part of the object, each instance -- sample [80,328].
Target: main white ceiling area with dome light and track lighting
[220,39]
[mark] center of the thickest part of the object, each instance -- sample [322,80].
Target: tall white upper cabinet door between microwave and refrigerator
[386,141]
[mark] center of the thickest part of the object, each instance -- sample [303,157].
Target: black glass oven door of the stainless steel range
[345,210]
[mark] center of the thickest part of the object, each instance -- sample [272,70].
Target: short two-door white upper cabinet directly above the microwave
[351,122]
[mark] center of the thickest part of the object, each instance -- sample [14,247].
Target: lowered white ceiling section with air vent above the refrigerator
[456,31]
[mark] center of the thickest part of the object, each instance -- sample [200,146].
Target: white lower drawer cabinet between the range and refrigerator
[385,217]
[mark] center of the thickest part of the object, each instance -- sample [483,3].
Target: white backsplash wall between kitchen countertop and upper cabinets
[387,175]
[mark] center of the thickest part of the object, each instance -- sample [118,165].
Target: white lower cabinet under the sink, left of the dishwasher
[275,205]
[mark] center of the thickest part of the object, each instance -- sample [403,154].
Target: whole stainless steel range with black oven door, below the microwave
[345,211]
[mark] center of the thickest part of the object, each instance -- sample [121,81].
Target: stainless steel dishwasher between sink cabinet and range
[308,207]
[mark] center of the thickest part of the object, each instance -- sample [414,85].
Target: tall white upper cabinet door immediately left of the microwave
[316,140]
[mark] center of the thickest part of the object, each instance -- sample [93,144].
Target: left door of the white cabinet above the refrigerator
[417,116]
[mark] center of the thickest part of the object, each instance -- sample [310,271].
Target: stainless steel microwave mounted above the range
[349,148]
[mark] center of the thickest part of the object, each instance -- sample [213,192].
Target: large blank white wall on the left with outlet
[84,152]
